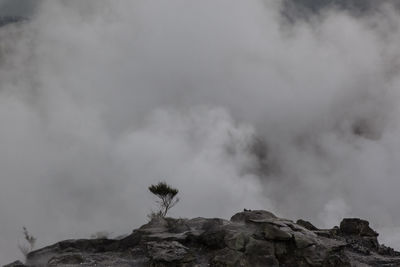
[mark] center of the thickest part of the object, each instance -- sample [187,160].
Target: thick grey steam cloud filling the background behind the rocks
[288,106]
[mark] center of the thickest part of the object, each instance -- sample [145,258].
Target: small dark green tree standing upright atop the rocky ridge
[166,194]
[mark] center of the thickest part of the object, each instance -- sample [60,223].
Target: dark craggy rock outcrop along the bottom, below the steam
[250,238]
